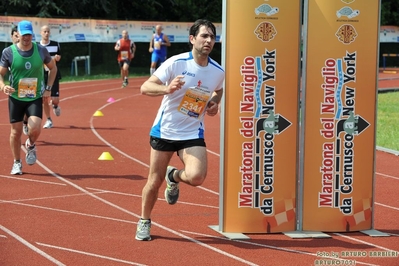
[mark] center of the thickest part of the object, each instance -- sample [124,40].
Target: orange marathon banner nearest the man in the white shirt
[259,133]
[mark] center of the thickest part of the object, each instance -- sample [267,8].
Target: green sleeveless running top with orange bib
[27,75]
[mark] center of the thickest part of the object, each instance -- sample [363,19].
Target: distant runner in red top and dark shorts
[126,49]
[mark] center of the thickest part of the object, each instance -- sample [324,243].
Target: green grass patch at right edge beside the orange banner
[388,120]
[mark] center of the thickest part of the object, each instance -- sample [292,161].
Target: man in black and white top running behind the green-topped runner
[54,49]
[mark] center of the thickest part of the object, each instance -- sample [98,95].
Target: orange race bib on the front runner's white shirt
[194,101]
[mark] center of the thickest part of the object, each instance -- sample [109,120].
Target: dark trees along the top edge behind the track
[145,10]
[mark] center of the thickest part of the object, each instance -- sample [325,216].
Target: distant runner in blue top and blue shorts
[158,48]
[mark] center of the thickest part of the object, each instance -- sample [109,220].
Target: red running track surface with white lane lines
[72,209]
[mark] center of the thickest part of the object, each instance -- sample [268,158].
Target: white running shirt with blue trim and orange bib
[181,114]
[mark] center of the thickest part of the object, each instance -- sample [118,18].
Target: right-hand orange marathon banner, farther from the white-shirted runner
[340,114]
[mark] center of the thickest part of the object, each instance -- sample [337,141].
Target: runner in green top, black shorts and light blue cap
[25,91]
